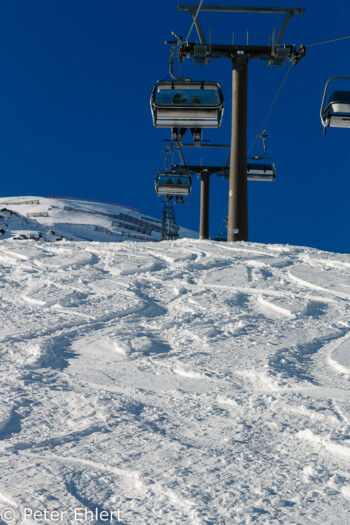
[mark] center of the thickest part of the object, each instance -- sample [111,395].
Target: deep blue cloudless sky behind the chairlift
[76,78]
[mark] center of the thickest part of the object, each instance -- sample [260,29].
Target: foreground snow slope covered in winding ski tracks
[171,383]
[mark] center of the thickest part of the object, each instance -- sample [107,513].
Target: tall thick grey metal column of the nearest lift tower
[237,223]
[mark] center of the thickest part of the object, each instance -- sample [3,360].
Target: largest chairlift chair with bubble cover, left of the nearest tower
[187,104]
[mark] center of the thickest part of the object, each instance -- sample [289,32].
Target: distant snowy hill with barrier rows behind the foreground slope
[51,219]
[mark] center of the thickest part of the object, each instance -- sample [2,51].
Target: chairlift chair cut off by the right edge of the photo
[337,112]
